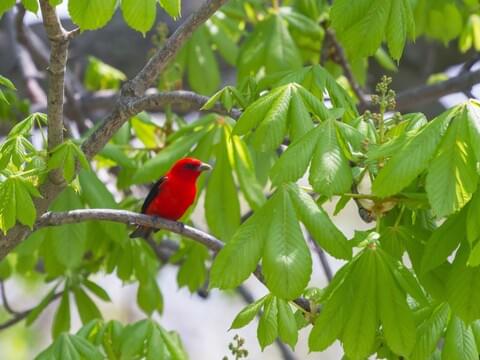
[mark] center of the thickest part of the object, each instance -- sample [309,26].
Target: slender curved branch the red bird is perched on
[128,217]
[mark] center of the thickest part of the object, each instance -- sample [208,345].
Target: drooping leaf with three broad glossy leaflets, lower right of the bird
[273,234]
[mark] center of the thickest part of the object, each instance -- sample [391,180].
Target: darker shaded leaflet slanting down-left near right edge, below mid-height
[443,241]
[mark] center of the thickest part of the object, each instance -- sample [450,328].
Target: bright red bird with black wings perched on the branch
[173,194]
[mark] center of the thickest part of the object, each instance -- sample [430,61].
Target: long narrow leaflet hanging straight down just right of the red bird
[221,196]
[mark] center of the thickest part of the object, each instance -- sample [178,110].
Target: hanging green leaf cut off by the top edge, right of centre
[362,26]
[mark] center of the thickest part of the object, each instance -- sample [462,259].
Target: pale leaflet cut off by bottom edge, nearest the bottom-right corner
[459,341]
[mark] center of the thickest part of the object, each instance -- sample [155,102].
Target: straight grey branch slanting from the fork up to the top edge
[157,63]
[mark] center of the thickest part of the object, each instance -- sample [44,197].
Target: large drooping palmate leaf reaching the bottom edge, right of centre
[353,306]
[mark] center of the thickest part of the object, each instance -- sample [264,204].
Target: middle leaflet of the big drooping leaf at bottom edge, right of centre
[359,332]
